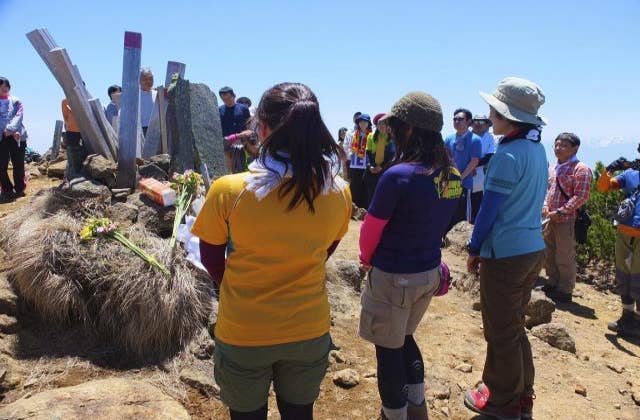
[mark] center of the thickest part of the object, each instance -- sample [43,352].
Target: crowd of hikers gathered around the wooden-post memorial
[492,171]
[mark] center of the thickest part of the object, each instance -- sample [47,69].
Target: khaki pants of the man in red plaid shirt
[560,255]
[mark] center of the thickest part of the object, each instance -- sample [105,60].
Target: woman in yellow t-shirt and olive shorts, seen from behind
[277,223]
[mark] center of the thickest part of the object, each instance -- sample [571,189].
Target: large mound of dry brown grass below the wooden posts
[103,285]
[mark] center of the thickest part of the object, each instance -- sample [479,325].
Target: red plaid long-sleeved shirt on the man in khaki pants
[575,178]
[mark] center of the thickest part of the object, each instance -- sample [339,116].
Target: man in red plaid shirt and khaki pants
[568,190]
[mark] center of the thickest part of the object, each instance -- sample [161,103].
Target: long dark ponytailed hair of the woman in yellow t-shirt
[299,139]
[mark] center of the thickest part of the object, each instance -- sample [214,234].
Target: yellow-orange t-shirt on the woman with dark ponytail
[273,289]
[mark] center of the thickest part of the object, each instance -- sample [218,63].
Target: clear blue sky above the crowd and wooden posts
[354,55]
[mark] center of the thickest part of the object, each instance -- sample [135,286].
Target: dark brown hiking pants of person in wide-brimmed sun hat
[505,290]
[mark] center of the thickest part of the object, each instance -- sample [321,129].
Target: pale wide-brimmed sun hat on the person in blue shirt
[517,99]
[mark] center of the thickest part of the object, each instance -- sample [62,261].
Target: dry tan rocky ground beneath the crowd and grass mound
[47,372]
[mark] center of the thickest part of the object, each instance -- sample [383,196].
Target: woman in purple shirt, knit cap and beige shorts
[400,247]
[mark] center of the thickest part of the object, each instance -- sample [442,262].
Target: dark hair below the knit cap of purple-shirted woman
[422,146]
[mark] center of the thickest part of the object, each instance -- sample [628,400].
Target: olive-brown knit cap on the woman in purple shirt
[418,109]
